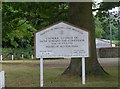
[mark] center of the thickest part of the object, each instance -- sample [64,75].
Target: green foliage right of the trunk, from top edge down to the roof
[108,20]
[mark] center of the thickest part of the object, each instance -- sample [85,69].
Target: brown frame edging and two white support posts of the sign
[41,57]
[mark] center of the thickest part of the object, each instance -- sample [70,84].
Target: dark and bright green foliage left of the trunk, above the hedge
[20,20]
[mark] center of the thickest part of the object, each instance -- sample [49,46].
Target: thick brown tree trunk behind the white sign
[81,16]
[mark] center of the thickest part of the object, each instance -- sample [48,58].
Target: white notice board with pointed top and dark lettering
[61,40]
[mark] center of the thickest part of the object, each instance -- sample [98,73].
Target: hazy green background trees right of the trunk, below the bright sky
[102,28]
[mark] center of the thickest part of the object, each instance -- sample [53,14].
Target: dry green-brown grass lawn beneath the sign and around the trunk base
[26,74]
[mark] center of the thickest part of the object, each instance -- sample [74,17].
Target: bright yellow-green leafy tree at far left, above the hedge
[16,28]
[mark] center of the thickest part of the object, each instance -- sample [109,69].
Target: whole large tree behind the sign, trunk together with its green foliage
[24,18]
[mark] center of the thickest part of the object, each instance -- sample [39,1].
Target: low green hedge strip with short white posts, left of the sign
[13,54]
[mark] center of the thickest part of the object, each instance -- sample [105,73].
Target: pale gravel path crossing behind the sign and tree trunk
[61,62]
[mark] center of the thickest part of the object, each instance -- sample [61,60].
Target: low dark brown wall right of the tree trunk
[108,52]
